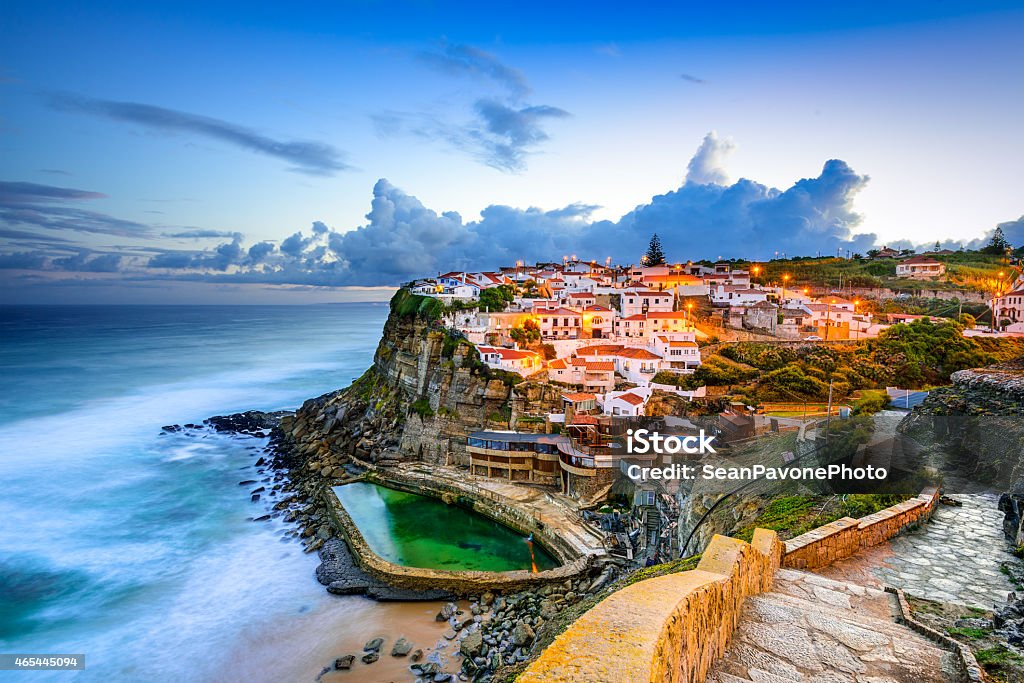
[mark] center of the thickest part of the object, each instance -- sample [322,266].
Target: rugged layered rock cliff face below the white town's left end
[424,394]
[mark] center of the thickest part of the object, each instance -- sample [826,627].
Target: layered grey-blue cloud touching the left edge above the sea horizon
[41,206]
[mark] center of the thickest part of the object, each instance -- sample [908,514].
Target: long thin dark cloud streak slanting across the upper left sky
[310,157]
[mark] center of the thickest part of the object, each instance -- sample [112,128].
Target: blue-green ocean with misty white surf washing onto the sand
[138,549]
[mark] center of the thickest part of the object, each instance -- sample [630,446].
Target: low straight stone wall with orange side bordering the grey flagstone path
[846,537]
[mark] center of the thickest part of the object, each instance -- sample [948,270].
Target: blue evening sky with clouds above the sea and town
[208,153]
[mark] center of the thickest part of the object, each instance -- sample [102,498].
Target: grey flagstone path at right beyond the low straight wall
[954,559]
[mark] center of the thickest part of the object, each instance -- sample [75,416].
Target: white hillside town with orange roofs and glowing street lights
[598,327]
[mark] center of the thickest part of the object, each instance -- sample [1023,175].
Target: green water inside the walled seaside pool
[422,532]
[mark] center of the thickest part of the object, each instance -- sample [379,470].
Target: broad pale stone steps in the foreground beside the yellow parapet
[818,630]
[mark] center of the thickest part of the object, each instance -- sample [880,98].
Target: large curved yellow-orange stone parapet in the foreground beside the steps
[671,628]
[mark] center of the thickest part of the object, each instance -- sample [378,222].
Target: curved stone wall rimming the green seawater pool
[459,583]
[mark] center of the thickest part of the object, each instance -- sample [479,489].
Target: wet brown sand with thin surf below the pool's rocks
[301,647]
